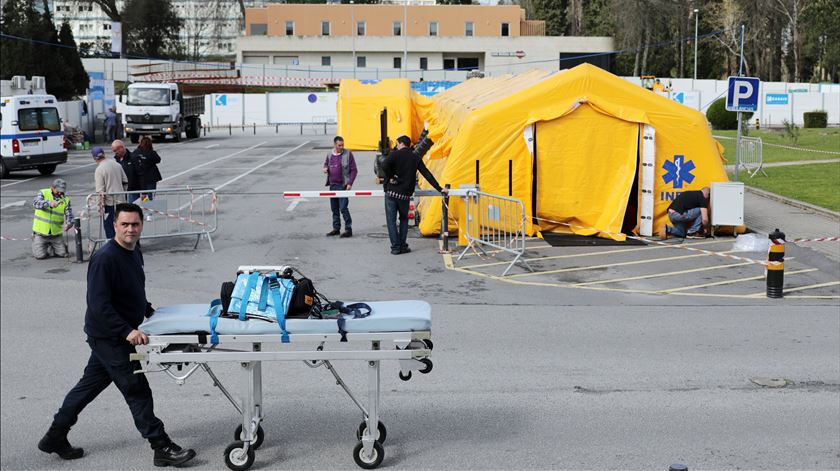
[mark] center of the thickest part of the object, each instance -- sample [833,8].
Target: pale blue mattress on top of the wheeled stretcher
[385,316]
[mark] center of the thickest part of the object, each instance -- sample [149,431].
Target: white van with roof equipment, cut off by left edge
[31,134]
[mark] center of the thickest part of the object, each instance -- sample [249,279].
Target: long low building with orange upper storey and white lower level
[381,41]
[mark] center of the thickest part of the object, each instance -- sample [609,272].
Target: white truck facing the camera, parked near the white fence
[160,109]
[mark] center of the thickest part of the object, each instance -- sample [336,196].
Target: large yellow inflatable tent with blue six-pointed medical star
[585,150]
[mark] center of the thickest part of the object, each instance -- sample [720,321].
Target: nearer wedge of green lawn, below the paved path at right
[818,184]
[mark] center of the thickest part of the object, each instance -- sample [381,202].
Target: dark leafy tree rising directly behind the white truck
[151,29]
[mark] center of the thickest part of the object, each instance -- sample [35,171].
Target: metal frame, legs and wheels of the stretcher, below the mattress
[194,351]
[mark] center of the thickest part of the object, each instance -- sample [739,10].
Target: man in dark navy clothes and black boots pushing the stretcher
[116,305]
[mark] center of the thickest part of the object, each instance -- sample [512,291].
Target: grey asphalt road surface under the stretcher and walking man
[525,376]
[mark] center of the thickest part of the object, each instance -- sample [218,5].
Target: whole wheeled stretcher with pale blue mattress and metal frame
[180,345]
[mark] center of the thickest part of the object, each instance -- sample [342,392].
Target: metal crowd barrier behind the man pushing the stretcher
[168,212]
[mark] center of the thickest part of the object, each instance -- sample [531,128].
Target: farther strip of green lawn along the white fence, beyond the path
[821,139]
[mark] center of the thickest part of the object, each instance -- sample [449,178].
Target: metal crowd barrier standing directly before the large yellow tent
[497,222]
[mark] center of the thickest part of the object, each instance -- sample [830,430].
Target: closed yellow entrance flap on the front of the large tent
[586,163]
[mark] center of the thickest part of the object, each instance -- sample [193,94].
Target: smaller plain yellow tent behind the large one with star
[359,105]
